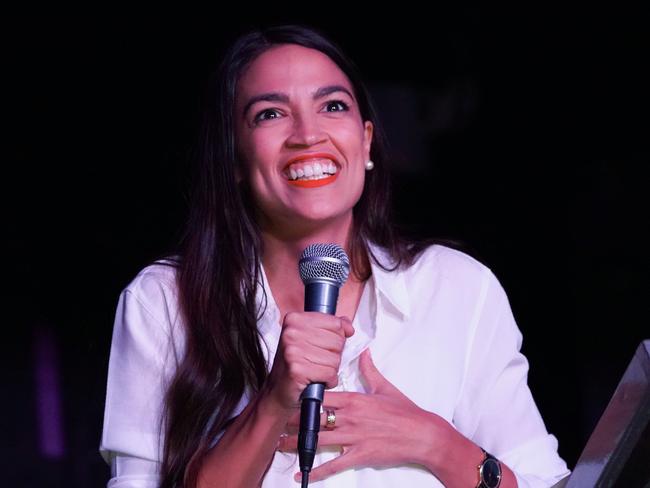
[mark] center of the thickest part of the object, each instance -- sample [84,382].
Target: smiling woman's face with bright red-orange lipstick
[300,136]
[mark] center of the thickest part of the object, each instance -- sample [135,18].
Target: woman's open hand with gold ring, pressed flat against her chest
[382,428]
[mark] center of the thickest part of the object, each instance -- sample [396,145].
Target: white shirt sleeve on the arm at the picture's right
[496,406]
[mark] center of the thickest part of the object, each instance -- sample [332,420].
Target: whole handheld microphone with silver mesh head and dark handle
[323,269]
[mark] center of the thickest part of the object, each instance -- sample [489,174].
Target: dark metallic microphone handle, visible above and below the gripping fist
[320,296]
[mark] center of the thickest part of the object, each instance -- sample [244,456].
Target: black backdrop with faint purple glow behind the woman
[522,133]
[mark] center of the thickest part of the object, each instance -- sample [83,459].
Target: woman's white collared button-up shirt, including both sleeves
[441,331]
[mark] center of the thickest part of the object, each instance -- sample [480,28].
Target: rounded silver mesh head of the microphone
[324,261]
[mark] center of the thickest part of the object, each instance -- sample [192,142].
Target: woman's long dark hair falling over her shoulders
[219,264]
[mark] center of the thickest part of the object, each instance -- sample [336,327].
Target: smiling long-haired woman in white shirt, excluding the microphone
[211,349]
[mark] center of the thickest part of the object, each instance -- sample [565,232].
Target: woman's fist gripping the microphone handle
[309,351]
